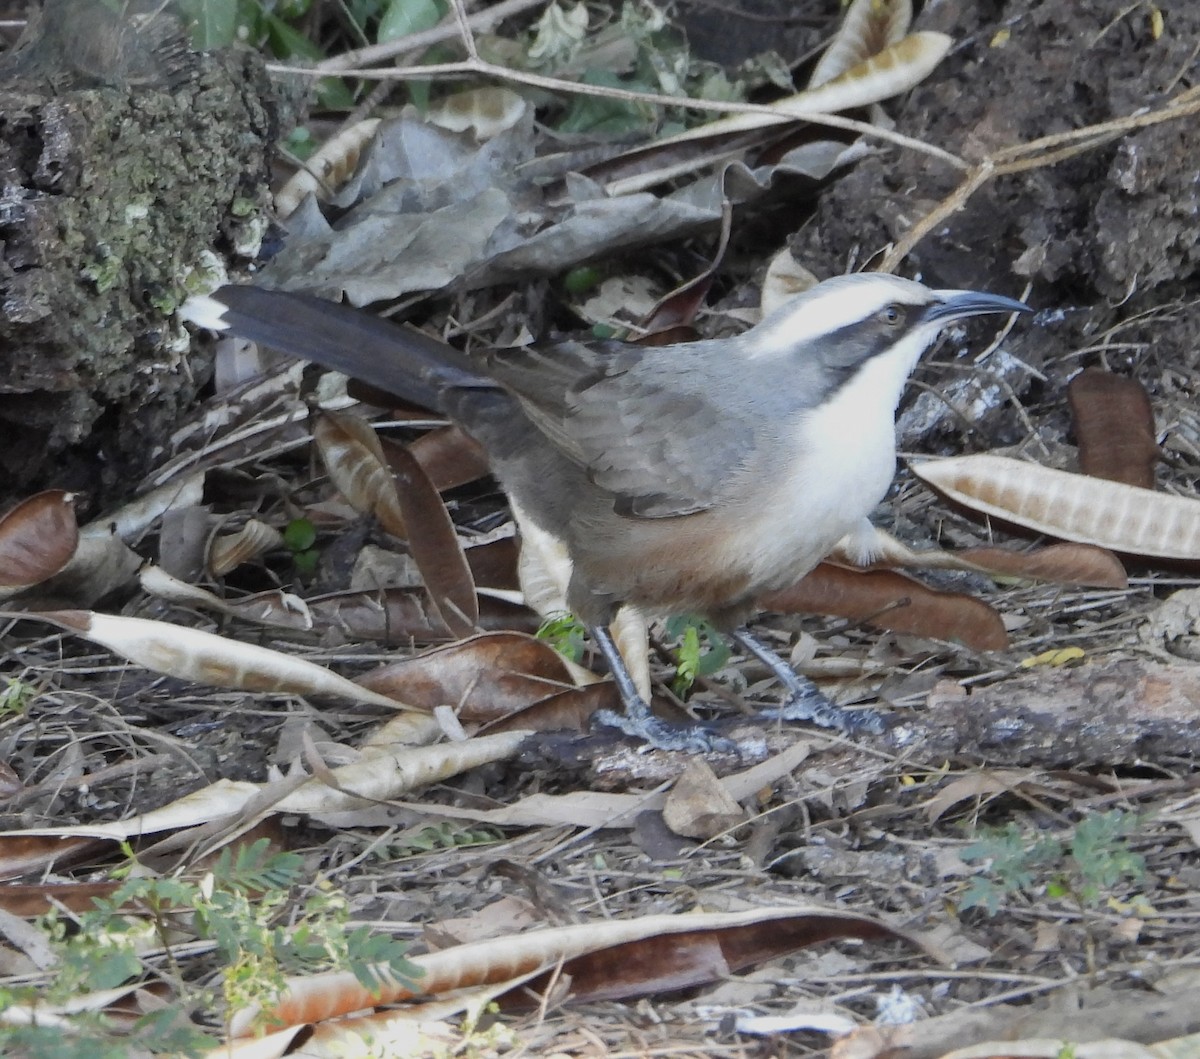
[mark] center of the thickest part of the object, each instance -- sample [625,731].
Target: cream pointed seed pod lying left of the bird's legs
[193,655]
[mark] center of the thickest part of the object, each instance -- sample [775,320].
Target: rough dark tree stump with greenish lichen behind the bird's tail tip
[113,184]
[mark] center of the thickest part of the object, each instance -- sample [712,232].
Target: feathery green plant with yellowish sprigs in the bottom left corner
[244,907]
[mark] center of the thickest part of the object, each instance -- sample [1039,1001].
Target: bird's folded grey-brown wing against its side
[635,420]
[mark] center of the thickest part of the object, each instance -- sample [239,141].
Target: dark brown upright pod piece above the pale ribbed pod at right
[1114,428]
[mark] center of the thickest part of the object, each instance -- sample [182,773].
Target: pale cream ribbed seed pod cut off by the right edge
[1089,511]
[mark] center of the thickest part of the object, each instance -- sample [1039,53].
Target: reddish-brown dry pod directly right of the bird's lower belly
[892,601]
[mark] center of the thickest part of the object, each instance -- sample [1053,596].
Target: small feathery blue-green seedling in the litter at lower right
[1085,867]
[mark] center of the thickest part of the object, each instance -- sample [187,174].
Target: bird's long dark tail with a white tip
[391,357]
